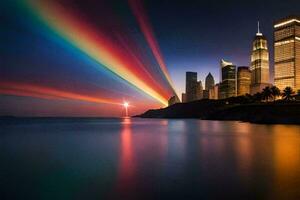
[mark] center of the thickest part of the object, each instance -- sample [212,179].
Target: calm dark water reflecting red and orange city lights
[148,159]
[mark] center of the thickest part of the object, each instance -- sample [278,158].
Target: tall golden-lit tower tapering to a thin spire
[259,63]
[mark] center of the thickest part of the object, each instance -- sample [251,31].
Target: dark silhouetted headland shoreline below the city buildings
[278,112]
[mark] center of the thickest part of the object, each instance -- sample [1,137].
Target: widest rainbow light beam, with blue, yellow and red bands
[94,44]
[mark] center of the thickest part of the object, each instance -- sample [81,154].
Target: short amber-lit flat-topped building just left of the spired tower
[243,81]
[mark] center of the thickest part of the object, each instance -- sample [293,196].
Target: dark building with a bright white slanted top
[228,80]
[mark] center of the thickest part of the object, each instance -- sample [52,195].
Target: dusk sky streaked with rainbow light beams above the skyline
[85,58]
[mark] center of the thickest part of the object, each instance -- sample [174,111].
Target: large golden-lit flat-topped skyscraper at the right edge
[287,53]
